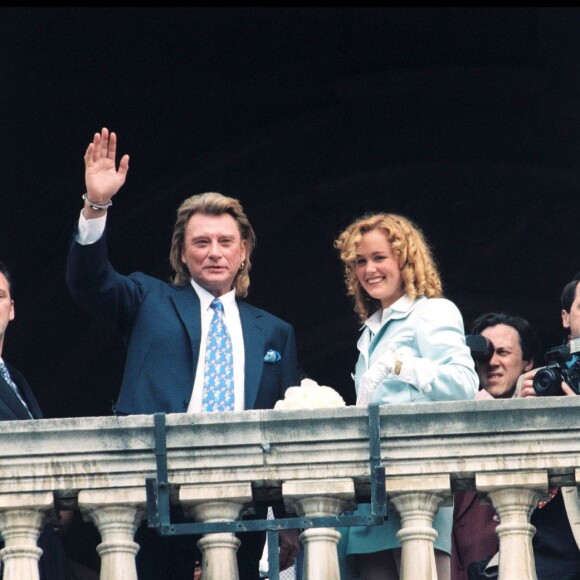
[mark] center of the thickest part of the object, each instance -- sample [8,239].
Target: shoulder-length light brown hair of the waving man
[215,204]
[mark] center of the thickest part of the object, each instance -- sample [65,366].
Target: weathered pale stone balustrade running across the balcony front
[511,451]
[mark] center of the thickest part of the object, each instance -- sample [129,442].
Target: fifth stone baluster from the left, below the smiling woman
[417,500]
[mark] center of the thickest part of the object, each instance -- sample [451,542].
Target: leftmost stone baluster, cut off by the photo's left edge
[21,520]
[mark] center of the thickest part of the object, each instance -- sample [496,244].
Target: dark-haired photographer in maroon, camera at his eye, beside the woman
[503,347]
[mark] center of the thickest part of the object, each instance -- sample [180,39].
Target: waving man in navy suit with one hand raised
[165,326]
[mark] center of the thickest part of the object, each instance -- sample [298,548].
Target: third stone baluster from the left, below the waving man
[217,503]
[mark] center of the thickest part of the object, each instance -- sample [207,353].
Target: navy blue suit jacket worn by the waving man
[161,326]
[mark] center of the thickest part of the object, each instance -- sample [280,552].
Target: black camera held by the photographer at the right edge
[562,365]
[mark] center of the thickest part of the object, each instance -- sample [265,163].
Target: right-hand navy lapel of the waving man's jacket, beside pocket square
[254,351]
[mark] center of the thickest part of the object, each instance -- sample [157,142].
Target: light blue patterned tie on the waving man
[218,391]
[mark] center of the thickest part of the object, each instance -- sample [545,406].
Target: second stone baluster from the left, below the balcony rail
[117,513]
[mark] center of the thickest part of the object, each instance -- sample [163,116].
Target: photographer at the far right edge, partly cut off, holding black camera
[556,542]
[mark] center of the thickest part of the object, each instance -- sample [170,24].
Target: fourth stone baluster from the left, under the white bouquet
[319,498]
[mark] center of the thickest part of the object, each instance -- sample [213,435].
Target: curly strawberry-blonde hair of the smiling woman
[419,271]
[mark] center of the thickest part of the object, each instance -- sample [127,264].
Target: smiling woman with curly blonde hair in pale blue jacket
[412,349]
